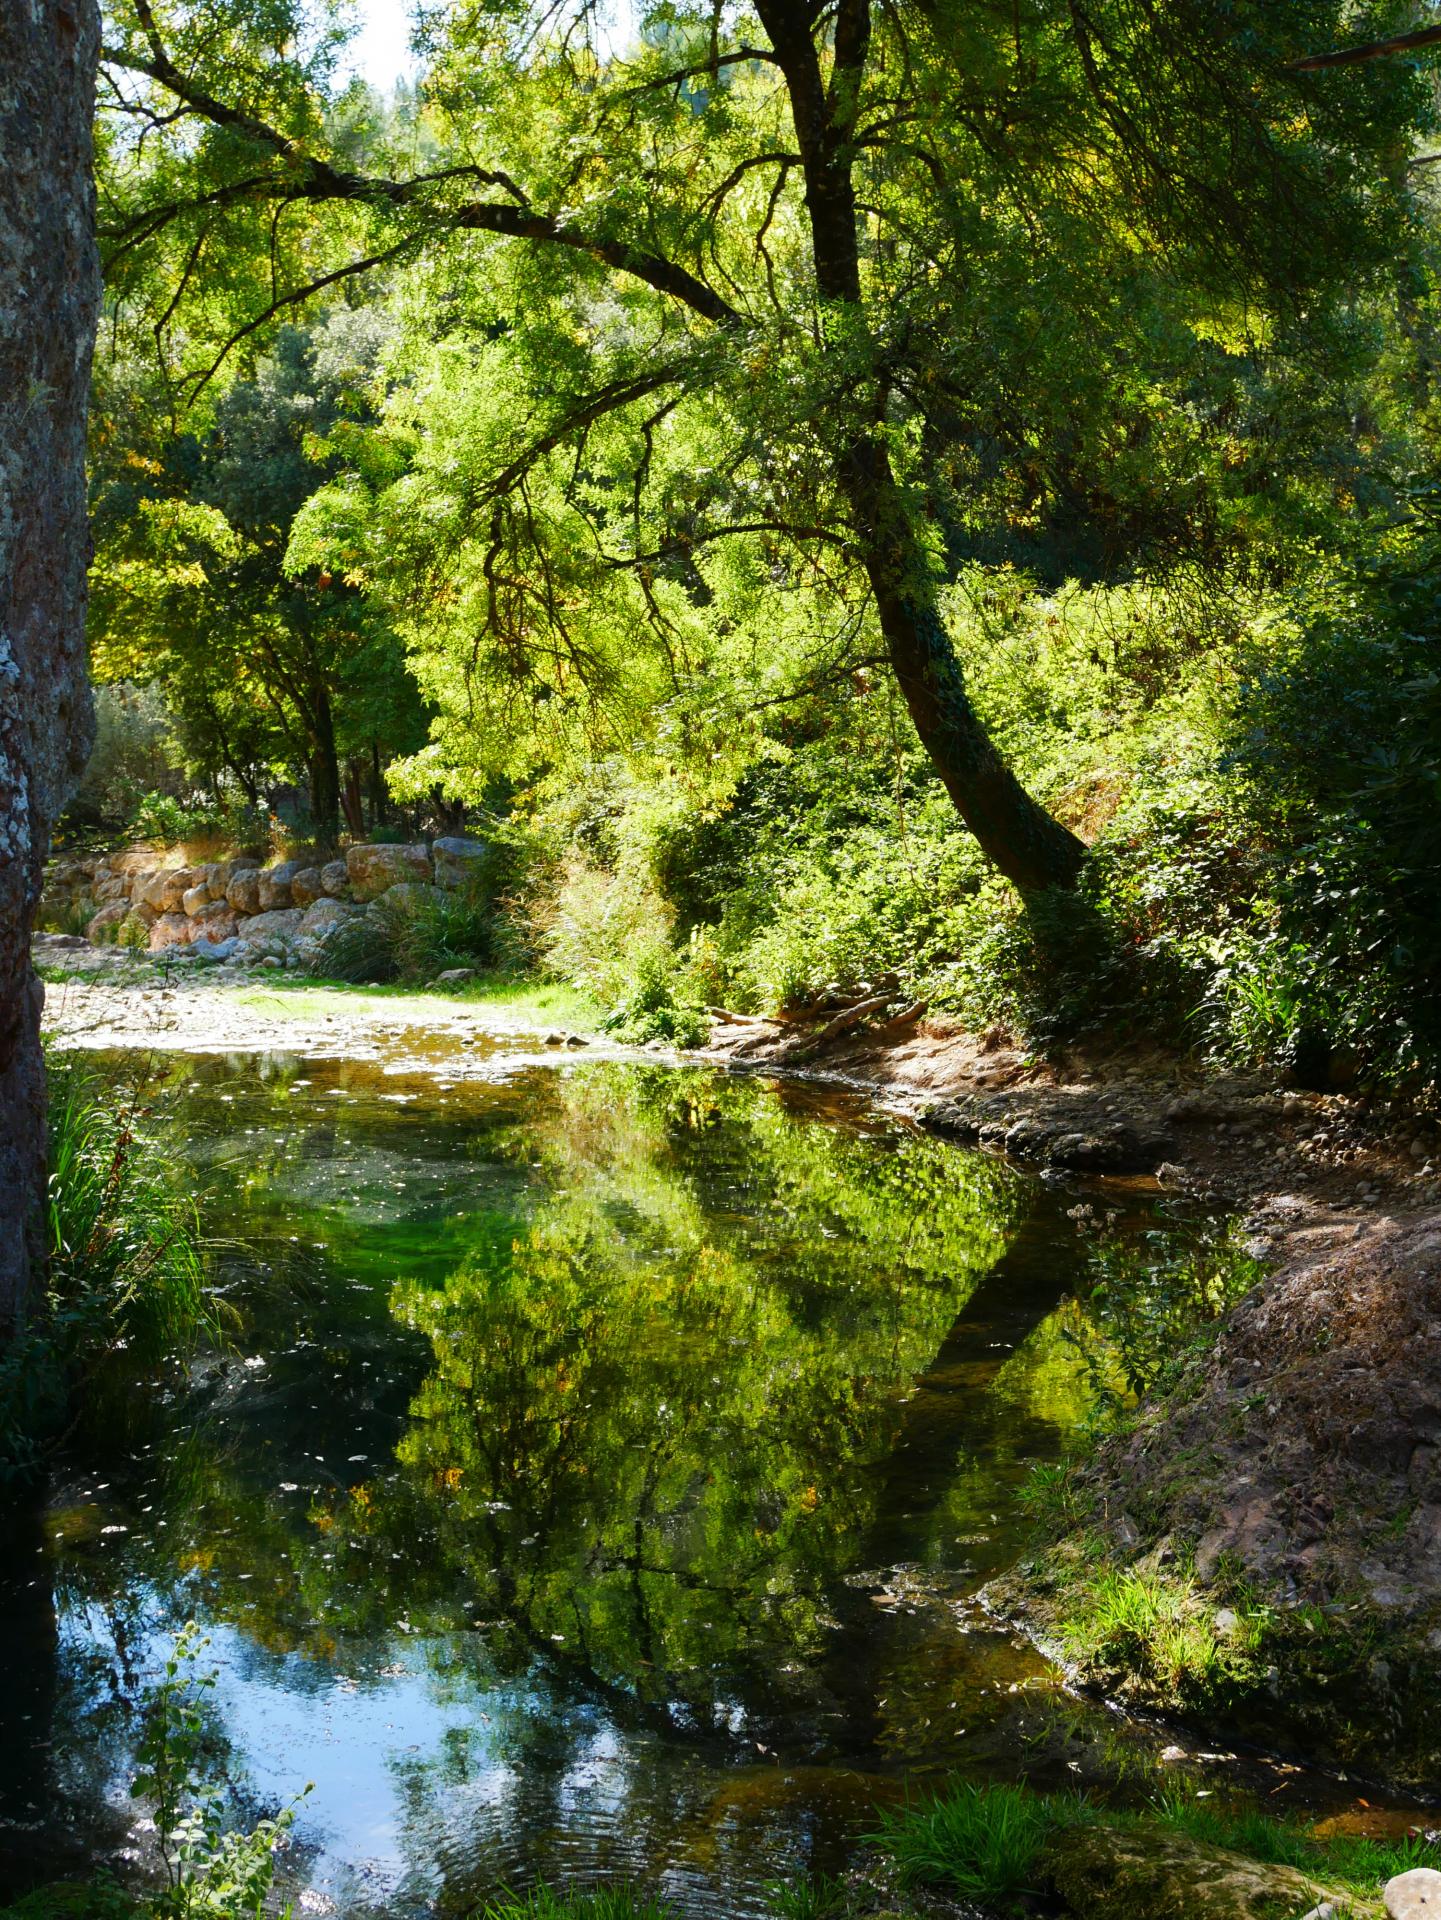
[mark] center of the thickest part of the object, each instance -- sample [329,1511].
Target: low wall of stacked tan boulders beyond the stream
[243,913]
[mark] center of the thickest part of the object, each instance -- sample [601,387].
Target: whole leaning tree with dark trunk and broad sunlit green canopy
[722,348]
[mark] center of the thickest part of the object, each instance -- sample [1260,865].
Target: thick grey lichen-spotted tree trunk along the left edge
[49,304]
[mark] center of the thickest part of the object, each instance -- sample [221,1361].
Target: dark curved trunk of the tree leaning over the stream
[1031,848]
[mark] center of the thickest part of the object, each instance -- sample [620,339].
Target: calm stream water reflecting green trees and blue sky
[596,1483]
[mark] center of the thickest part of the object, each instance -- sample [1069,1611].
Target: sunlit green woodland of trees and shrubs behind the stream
[943,489]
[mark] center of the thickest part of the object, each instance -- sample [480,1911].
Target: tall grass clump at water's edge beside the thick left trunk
[128,1289]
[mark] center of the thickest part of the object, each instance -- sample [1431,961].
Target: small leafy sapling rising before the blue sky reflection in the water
[214,1871]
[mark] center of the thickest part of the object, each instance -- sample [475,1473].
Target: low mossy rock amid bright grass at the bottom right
[1106,1873]
